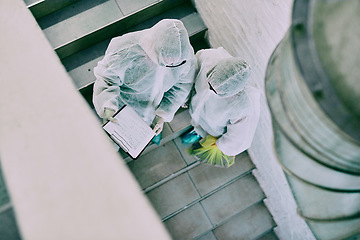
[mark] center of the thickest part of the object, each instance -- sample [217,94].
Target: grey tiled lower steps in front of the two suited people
[199,201]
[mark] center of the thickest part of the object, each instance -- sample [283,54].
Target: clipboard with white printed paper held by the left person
[131,133]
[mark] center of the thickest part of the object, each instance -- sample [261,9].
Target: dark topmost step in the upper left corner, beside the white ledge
[41,8]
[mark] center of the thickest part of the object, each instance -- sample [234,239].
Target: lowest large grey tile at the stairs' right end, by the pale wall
[247,225]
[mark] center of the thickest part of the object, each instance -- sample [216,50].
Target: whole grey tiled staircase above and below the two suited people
[195,201]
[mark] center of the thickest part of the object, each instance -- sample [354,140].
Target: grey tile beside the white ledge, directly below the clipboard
[157,164]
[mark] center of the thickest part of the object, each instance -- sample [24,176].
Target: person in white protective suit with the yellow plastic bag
[224,109]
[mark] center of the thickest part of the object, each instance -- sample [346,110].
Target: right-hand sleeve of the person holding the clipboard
[177,95]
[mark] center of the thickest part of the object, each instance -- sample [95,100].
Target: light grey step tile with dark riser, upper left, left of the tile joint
[78,19]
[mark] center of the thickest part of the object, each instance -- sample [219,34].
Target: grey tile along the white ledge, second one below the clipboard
[173,195]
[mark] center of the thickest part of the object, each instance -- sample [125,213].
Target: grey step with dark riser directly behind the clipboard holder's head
[80,65]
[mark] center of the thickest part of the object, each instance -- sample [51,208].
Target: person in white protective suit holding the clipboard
[150,70]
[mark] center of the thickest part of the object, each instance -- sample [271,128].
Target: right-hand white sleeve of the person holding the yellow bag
[240,132]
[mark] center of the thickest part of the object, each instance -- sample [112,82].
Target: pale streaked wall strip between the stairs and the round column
[251,30]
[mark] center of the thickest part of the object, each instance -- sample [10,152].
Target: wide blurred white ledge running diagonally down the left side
[64,177]
